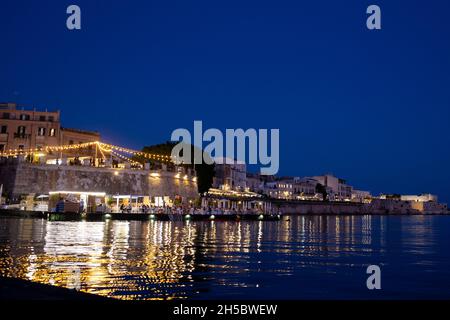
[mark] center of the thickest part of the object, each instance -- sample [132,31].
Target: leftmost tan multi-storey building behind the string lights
[22,129]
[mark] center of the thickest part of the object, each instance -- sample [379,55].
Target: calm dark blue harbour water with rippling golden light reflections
[322,257]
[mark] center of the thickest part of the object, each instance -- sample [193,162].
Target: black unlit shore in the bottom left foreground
[18,289]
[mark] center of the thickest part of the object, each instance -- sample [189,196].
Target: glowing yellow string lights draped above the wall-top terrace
[102,148]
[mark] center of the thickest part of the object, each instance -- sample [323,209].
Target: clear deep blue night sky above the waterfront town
[369,106]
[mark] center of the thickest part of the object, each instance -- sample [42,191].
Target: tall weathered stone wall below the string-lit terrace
[19,178]
